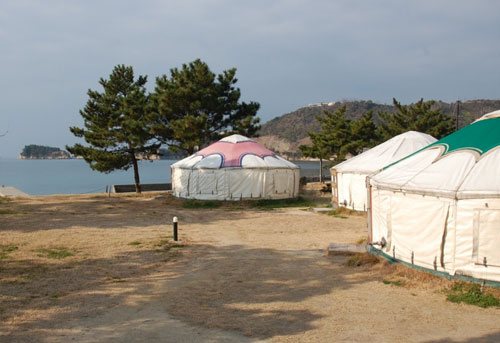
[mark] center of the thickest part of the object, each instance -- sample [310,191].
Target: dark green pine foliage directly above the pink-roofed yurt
[195,107]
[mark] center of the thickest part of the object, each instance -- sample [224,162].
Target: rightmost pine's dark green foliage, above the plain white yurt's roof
[421,116]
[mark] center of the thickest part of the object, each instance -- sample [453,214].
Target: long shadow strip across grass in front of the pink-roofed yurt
[49,213]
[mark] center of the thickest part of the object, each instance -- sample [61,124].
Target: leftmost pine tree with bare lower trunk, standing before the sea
[116,124]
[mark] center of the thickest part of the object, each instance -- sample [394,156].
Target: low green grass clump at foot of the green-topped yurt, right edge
[471,294]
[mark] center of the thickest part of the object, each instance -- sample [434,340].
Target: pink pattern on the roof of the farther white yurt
[232,153]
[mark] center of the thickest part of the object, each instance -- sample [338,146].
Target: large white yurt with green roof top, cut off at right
[440,207]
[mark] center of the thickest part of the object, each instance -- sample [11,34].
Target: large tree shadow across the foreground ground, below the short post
[257,292]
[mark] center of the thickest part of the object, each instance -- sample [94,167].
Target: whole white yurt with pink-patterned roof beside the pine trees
[235,168]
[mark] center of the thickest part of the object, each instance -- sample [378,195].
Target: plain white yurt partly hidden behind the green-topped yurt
[349,177]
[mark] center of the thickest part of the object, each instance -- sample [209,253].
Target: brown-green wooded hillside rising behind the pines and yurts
[291,129]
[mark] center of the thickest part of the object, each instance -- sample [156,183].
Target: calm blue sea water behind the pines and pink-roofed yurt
[74,176]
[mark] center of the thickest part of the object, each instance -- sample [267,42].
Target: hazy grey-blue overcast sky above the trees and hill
[288,53]
